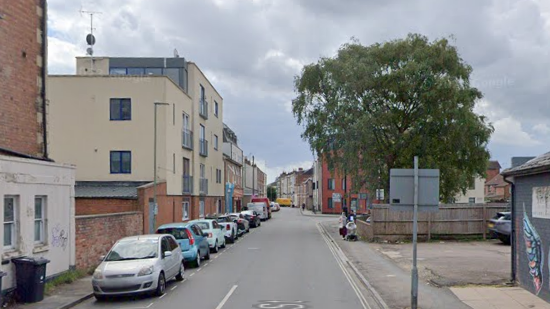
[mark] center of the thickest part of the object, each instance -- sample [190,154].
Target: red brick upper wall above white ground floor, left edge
[20,101]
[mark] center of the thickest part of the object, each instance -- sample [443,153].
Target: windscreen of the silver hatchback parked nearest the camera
[133,250]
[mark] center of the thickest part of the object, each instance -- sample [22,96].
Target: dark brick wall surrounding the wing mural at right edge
[523,195]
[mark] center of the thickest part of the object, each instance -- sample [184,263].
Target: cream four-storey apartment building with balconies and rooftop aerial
[109,117]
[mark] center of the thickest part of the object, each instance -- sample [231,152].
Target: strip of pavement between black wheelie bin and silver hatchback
[64,296]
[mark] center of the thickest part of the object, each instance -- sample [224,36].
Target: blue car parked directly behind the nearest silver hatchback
[192,240]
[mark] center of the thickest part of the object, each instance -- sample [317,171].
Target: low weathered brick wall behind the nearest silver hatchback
[96,234]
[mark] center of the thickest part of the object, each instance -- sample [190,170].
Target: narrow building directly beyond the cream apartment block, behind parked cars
[233,160]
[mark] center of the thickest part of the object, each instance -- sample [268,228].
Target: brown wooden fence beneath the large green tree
[450,220]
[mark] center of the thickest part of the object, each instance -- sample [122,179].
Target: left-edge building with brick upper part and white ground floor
[36,194]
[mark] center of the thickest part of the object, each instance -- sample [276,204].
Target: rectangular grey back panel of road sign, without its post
[402,190]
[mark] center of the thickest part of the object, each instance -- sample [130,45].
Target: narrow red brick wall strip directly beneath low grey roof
[94,206]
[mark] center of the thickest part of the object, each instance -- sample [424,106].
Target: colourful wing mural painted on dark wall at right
[533,248]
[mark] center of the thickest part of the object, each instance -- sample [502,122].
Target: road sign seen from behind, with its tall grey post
[414,190]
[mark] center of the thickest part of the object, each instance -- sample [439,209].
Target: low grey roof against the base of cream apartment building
[108,189]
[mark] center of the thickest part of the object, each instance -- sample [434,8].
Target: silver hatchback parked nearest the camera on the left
[138,264]
